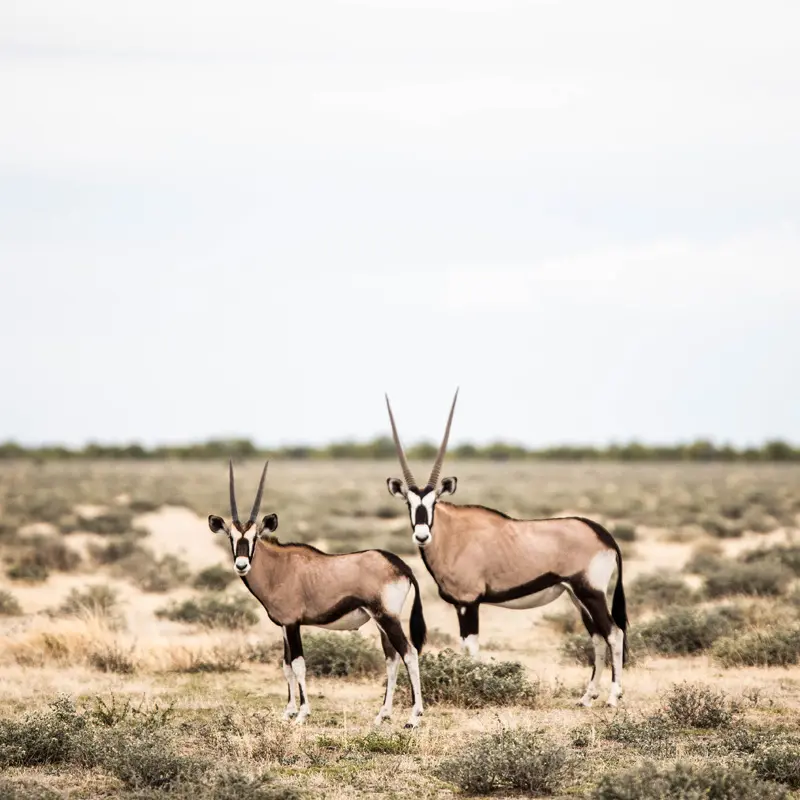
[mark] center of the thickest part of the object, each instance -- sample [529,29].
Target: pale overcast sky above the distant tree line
[254,218]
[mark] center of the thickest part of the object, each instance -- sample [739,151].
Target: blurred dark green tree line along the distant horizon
[383,448]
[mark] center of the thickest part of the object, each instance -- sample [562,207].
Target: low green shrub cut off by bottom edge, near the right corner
[682,781]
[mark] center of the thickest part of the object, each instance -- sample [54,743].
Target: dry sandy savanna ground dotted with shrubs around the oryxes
[134,664]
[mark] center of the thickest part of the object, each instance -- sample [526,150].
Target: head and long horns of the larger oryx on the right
[421,501]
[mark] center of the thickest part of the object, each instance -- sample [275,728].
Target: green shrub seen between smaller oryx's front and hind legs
[340,655]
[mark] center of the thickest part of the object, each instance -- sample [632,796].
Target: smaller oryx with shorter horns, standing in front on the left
[300,585]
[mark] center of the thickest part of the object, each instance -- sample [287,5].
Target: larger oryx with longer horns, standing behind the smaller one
[480,555]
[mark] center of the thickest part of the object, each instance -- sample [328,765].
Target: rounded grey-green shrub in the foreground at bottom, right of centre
[514,760]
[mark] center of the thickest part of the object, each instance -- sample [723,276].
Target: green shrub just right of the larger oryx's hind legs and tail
[688,631]
